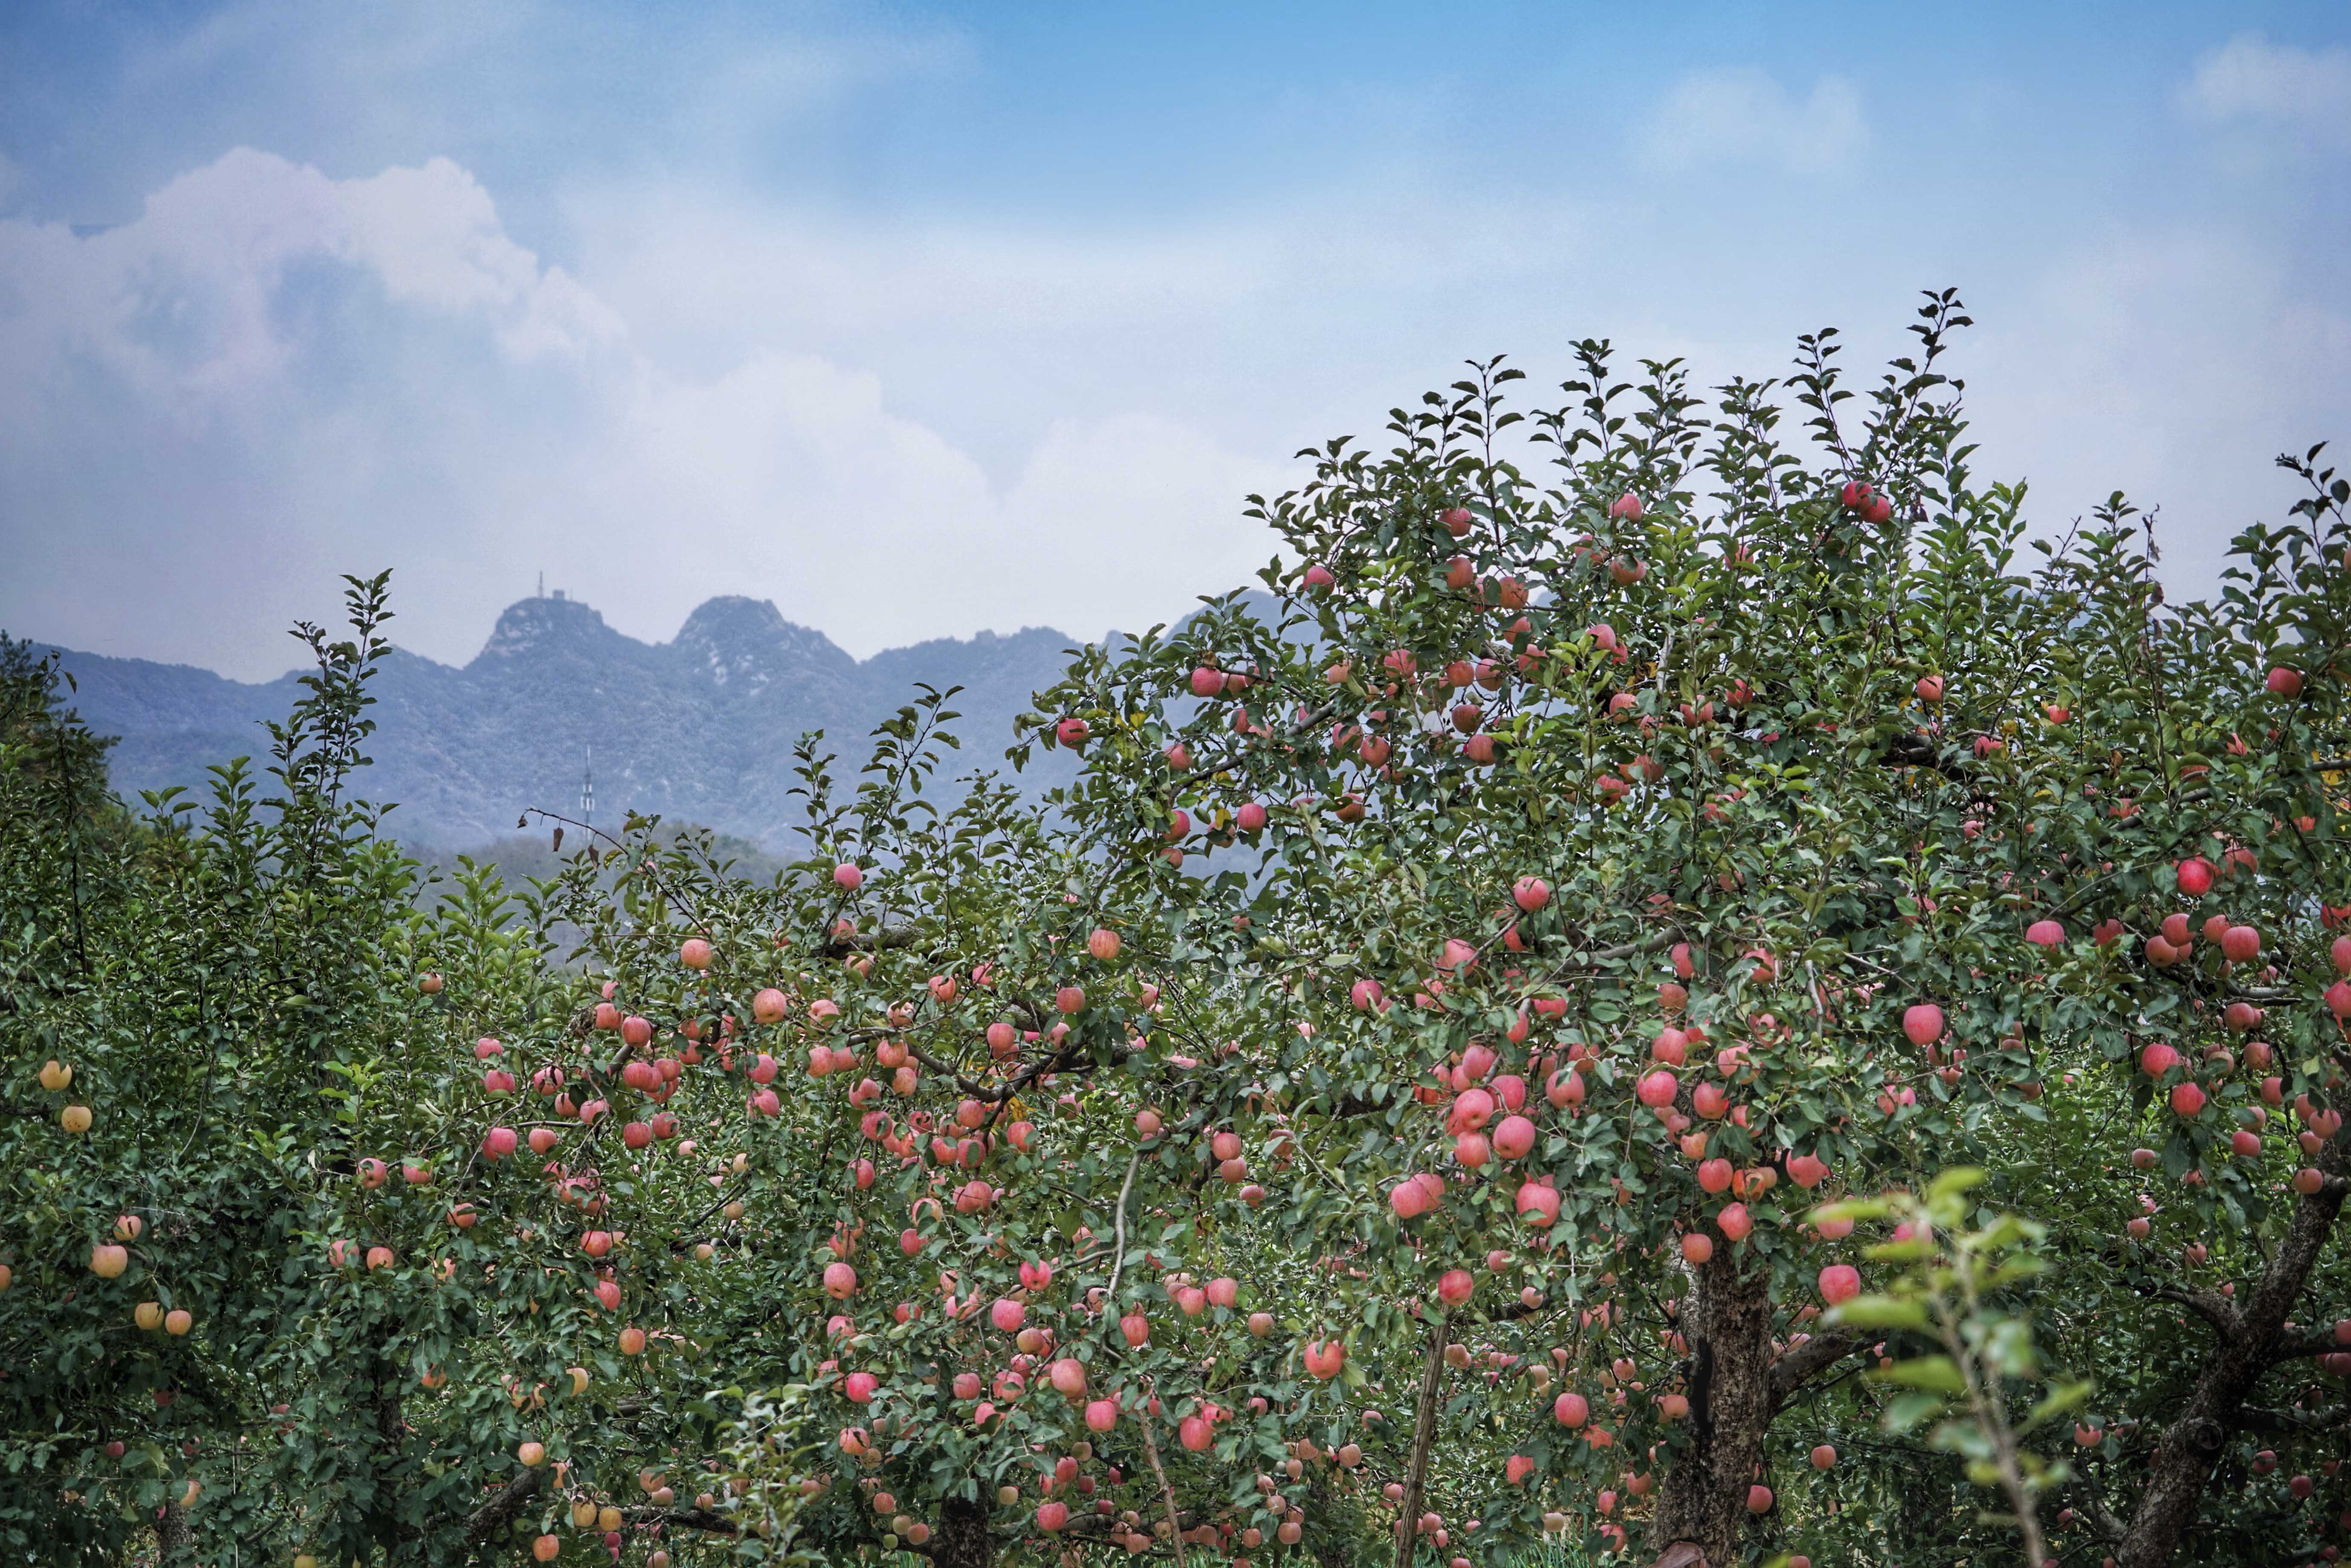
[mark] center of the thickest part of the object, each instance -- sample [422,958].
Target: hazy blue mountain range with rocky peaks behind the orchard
[695,730]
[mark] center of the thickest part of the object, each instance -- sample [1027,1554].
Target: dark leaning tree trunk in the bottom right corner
[2246,1346]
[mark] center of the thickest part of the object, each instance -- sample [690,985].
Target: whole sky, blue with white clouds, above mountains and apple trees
[946,319]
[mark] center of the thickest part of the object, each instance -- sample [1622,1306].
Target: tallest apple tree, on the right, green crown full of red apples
[1748,817]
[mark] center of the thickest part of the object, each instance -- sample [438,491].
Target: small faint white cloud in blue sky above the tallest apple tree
[1741,116]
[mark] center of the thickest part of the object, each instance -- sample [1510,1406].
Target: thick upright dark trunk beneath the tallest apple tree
[1703,1501]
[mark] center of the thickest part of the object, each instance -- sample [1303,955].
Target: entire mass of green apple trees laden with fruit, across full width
[1463,1068]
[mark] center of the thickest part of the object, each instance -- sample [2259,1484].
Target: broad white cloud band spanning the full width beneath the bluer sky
[911,427]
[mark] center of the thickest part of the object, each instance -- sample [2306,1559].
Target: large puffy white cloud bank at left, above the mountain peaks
[274,377]
